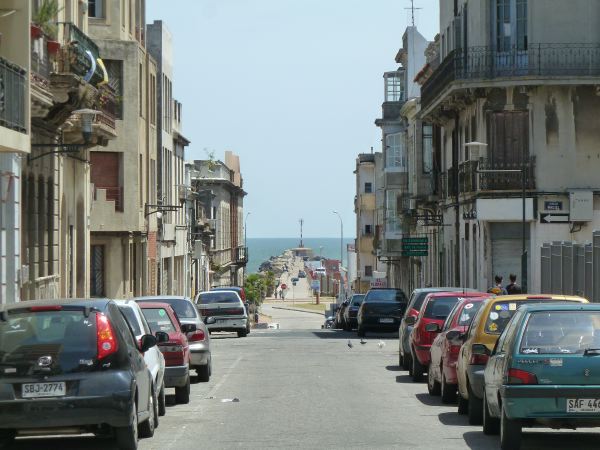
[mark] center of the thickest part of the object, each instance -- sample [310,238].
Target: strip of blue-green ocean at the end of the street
[261,249]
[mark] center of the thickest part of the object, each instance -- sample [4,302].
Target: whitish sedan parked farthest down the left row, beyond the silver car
[223,311]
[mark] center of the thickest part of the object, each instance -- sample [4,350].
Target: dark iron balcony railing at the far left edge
[13,85]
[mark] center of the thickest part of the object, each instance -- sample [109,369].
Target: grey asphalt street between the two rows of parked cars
[303,387]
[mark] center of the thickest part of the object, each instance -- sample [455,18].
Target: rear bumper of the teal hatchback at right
[547,402]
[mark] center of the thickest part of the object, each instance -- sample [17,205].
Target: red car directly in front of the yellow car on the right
[441,376]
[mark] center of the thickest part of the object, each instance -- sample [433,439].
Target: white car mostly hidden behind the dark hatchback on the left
[153,357]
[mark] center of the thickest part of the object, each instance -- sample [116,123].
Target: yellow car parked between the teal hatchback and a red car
[486,327]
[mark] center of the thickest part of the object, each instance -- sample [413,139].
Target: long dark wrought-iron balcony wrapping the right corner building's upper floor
[538,61]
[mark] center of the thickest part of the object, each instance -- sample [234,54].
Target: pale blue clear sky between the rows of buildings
[293,87]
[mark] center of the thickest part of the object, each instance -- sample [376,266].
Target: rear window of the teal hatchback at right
[561,332]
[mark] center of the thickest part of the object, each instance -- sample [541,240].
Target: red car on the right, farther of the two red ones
[436,308]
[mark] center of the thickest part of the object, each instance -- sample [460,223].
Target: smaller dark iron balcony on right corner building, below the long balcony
[472,180]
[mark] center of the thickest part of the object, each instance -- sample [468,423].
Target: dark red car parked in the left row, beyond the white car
[173,344]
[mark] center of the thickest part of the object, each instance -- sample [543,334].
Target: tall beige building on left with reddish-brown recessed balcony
[123,220]
